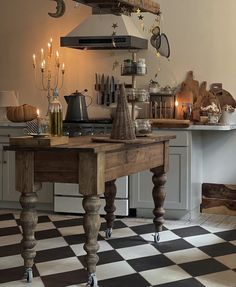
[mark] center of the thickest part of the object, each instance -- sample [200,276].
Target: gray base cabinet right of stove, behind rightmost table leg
[183,186]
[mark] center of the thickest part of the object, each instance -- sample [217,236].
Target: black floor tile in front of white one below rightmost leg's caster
[150,262]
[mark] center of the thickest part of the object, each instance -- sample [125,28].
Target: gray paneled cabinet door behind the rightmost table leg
[176,186]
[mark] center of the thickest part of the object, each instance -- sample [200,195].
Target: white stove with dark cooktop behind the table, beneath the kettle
[67,198]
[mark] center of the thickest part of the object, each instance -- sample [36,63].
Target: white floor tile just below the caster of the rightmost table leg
[137,251]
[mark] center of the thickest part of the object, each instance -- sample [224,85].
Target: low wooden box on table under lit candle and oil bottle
[32,141]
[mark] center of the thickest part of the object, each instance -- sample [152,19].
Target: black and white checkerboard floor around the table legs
[186,256]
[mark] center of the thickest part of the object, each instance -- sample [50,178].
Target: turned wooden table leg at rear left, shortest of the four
[110,194]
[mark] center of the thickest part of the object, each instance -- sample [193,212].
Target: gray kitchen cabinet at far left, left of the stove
[9,197]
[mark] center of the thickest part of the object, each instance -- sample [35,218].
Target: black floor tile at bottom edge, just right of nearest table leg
[135,280]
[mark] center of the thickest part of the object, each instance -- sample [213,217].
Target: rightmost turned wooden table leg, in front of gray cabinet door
[158,194]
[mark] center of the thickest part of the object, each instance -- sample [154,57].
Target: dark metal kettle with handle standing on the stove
[77,107]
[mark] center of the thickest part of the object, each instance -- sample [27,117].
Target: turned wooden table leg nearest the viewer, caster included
[91,225]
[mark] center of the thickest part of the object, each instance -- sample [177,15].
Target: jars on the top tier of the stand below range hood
[132,67]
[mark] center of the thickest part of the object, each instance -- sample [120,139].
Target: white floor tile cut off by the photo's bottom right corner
[219,279]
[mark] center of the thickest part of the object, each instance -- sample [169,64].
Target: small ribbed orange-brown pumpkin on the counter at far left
[23,113]
